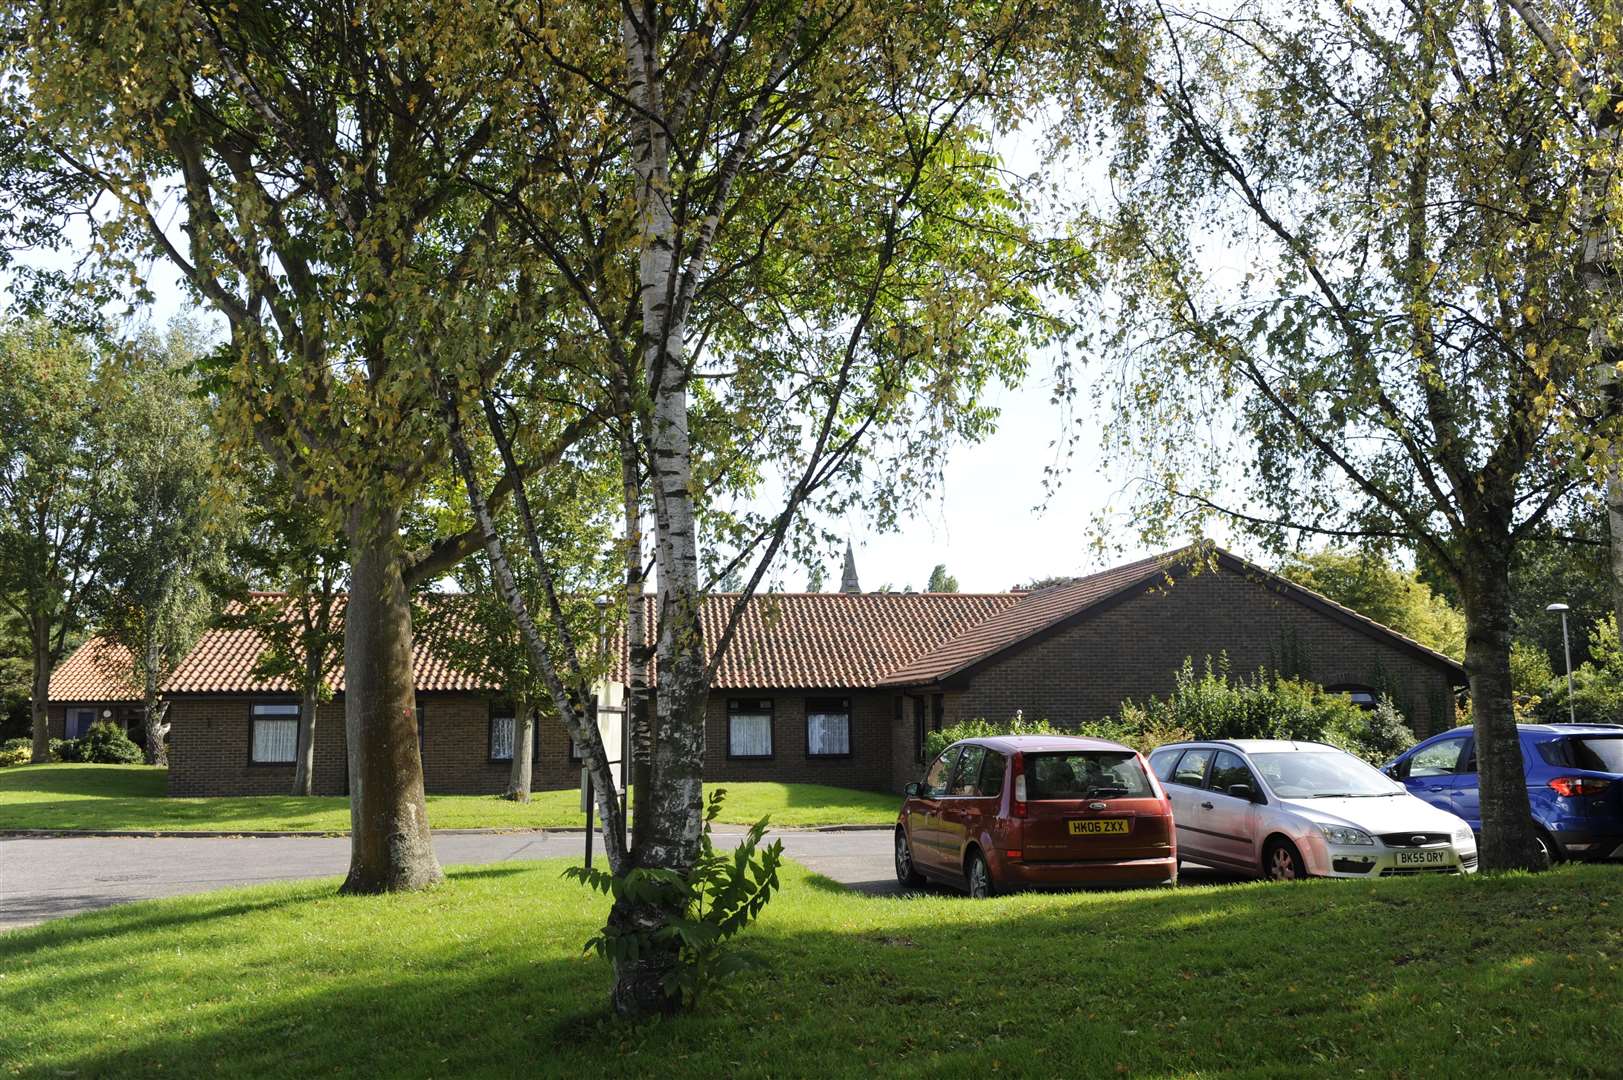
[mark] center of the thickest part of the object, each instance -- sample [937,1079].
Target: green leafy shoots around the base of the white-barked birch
[721,896]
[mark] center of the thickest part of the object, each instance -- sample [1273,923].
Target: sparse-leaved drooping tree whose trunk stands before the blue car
[1406,347]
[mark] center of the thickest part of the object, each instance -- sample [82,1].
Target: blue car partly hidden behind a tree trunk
[1575,784]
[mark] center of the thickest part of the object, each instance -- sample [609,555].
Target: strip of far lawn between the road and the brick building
[132,798]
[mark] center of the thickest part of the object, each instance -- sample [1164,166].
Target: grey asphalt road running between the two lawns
[51,878]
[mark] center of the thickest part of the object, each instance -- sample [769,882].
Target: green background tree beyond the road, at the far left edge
[54,467]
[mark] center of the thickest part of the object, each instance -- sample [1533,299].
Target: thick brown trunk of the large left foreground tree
[390,845]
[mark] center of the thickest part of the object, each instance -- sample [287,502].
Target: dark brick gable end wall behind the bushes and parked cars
[1132,652]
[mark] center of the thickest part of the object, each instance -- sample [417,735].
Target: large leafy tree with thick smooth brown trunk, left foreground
[306,170]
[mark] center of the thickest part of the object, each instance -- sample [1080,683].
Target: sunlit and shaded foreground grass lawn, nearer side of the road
[484,977]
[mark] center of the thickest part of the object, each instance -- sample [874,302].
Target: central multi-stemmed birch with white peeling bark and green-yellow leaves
[803,264]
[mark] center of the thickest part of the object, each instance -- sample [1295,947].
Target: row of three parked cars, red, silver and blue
[1033,811]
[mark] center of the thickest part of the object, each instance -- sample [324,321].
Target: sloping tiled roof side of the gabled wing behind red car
[1031,615]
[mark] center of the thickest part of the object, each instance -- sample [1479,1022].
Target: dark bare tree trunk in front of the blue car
[1509,834]
